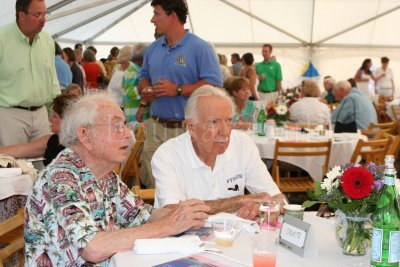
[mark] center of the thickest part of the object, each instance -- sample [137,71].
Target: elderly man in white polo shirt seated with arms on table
[211,162]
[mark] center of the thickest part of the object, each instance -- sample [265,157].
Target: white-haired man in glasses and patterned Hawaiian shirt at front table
[79,212]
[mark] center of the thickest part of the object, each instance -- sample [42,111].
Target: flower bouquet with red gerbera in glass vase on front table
[352,191]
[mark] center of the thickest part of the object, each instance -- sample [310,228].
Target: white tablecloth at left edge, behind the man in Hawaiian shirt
[17,185]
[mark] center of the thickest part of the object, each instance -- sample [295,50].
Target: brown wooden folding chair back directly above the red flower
[372,150]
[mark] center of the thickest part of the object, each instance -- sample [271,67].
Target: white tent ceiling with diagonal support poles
[229,22]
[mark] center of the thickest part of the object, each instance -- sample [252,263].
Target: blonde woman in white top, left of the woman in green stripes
[115,86]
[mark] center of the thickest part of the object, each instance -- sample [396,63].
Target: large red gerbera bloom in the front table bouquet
[357,182]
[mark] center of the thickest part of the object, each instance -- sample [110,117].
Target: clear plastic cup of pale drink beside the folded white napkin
[225,232]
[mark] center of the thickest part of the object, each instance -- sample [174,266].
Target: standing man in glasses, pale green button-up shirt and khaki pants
[28,78]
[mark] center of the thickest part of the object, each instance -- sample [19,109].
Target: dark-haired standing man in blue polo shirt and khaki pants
[174,66]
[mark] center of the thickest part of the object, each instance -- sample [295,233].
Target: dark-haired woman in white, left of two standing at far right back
[364,78]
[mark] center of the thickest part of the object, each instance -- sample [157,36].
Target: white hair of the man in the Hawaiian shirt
[83,112]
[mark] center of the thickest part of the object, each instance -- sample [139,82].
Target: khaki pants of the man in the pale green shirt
[19,126]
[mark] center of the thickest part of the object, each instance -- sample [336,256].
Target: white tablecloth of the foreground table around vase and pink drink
[330,254]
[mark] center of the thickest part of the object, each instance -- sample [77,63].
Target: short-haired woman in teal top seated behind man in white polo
[239,89]
